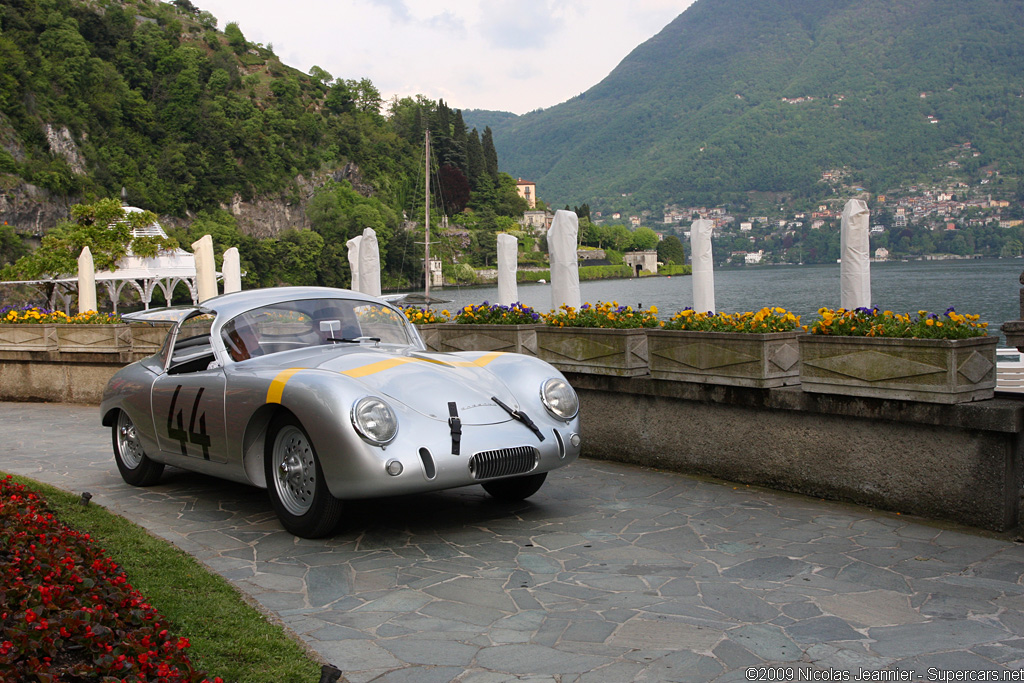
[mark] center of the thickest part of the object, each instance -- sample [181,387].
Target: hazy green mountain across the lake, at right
[737,97]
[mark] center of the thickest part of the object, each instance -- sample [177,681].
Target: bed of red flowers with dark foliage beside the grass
[68,613]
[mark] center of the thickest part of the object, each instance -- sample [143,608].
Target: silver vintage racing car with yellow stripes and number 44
[322,396]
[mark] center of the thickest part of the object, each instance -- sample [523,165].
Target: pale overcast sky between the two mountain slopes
[514,56]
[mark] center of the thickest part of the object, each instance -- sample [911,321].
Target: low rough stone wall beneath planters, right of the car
[960,463]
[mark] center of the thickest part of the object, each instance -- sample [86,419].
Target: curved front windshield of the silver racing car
[292,325]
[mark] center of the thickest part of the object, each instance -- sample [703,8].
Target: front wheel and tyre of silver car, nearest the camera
[295,482]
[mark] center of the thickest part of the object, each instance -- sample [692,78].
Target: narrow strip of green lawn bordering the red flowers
[230,638]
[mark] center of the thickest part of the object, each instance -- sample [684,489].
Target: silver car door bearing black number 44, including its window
[189,398]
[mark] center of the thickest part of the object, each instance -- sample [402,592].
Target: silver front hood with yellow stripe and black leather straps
[429,382]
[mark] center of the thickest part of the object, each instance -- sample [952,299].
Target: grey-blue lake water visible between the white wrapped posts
[987,287]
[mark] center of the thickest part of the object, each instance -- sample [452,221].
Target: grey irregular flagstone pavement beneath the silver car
[611,573]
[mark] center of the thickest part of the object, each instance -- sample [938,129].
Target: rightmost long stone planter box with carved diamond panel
[938,371]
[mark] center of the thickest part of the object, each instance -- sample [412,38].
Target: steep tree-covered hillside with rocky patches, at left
[150,102]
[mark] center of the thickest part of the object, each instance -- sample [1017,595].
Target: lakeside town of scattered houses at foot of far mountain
[949,220]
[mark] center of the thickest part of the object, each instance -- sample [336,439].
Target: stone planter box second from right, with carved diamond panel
[736,359]
